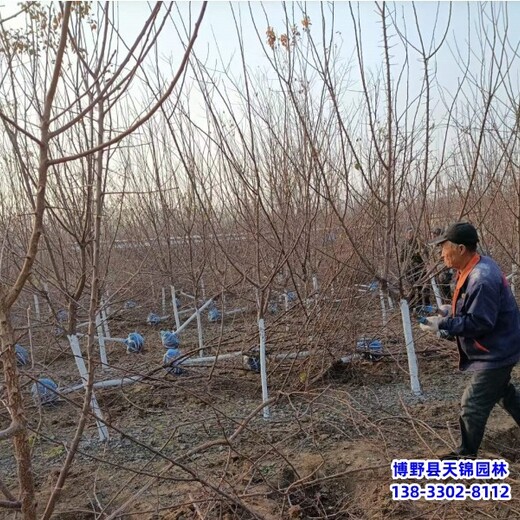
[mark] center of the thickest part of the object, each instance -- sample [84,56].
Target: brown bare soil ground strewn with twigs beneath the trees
[325,452]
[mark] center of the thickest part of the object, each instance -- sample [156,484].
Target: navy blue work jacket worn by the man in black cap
[486,321]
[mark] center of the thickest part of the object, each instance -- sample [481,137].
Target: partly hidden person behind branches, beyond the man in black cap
[414,268]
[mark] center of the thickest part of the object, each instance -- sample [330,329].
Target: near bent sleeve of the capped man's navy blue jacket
[481,312]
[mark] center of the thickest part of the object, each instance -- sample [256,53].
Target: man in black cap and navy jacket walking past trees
[485,319]
